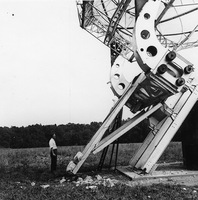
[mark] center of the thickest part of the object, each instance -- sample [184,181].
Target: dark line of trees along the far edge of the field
[77,134]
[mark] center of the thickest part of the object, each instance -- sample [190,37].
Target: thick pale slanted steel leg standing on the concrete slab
[163,132]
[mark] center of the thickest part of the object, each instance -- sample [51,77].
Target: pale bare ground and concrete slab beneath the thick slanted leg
[172,173]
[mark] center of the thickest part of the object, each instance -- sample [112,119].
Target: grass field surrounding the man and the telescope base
[25,172]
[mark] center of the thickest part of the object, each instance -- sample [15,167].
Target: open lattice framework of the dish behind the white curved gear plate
[112,22]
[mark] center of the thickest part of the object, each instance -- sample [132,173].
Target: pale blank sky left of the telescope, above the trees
[51,70]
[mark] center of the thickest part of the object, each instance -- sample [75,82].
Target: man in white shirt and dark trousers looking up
[53,152]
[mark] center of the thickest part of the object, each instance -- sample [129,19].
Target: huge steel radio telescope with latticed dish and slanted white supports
[144,36]
